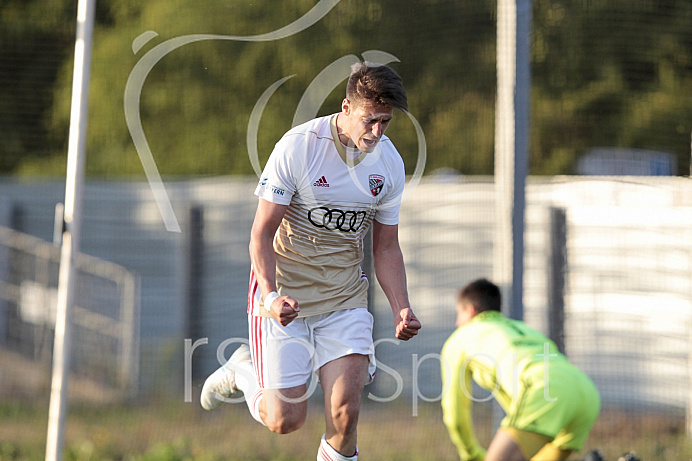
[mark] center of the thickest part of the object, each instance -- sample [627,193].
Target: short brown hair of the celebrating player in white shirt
[378,84]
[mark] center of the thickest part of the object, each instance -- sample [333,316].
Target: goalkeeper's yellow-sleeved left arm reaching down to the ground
[456,404]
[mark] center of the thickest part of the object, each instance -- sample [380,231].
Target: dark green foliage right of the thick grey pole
[610,74]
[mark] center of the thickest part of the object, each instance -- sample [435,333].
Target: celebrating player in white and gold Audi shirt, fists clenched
[325,184]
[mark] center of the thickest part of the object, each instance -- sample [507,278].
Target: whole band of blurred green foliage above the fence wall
[605,73]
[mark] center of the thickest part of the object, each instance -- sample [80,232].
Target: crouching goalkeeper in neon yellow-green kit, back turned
[550,404]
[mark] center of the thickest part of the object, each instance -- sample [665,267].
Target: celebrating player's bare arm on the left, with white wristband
[267,219]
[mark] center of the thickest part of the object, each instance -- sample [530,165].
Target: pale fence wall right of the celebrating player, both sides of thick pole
[612,282]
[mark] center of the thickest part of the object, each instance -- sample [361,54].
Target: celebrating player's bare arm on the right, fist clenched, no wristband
[391,273]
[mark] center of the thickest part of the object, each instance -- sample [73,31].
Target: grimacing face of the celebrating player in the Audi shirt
[365,124]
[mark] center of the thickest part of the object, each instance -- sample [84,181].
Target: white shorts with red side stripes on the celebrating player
[285,357]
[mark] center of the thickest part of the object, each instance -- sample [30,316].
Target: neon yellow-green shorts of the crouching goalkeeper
[562,406]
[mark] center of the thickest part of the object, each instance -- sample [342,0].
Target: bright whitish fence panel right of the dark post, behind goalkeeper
[629,302]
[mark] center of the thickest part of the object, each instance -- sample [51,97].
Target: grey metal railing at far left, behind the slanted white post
[105,351]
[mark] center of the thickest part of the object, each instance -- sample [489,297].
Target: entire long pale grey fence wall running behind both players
[614,279]
